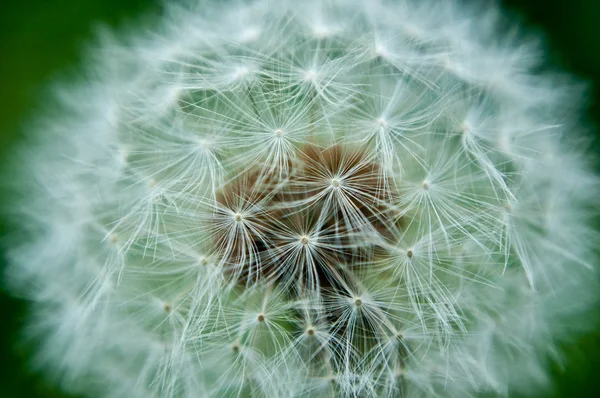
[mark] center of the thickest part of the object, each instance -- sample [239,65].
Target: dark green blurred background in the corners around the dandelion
[40,39]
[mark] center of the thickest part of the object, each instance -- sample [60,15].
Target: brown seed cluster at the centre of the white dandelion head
[309,227]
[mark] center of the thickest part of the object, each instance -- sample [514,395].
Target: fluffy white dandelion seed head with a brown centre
[332,198]
